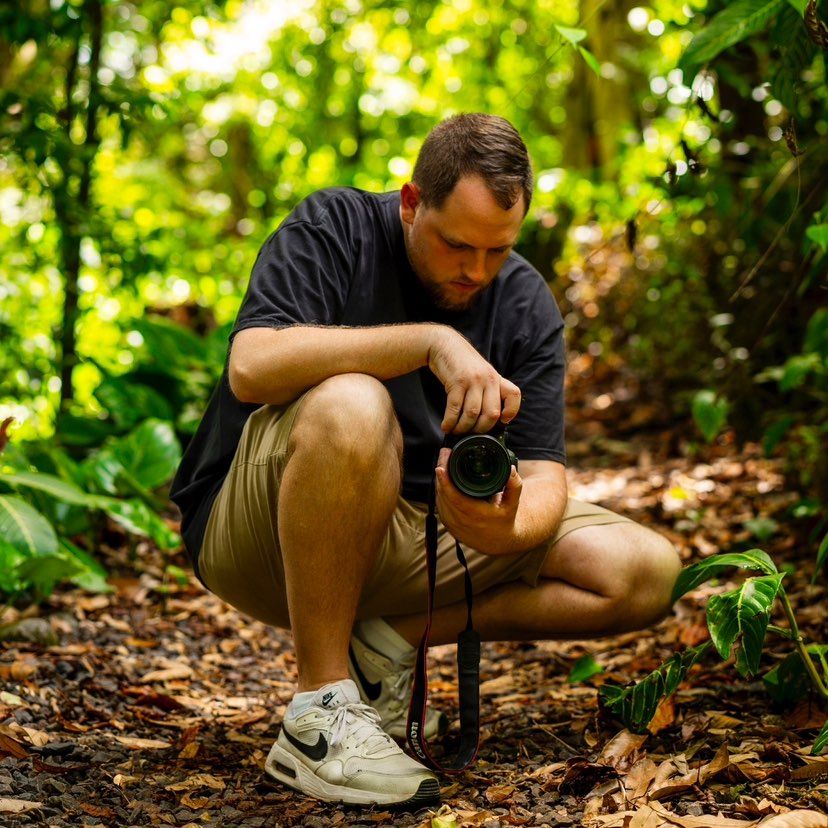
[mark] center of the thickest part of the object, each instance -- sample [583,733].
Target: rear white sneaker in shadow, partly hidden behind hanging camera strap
[386,686]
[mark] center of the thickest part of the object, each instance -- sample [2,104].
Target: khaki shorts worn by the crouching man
[241,562]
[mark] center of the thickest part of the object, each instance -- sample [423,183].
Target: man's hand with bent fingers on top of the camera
[477,396]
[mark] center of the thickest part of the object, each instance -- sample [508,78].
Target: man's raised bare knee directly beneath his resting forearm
[353,416]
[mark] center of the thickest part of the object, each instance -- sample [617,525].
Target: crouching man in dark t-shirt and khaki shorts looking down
[374,325]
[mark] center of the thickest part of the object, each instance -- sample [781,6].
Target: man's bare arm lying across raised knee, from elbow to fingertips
[276,365]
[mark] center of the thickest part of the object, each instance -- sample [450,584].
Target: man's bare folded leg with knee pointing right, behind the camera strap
[596,581]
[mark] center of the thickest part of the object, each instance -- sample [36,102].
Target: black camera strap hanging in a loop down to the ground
[468,667]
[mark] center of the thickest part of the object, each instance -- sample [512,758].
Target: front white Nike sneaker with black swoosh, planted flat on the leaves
[336,751]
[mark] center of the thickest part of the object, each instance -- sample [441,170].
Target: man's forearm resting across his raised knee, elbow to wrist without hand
[277,365]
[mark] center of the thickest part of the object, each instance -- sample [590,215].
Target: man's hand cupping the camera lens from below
[485,525]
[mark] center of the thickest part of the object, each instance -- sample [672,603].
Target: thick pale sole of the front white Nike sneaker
[287,769]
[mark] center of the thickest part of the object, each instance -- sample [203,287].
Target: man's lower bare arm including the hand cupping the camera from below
[523,516]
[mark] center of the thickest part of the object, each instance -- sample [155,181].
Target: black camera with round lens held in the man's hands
[480,464]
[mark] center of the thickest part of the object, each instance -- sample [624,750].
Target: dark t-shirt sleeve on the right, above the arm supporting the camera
[538,369]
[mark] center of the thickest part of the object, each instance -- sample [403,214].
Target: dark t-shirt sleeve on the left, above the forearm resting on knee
[301,277]
